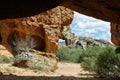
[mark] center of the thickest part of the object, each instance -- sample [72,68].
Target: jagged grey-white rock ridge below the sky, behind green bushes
[73,41]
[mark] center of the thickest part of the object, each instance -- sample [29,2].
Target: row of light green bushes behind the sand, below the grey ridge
[76,54]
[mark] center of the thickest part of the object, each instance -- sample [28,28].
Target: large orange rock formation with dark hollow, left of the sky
[40,32]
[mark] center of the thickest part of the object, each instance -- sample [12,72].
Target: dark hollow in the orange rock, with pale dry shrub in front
[19,40]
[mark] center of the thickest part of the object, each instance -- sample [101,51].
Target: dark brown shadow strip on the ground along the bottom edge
[14,77]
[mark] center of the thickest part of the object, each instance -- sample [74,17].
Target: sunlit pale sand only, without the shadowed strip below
[64,69]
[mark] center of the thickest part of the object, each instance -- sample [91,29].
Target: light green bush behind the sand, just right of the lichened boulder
[68,55]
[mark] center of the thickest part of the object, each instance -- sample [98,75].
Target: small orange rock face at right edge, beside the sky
[115,36]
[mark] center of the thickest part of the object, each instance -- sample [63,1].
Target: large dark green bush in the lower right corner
[108,64]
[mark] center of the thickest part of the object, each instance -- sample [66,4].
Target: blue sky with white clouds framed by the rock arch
[87,26]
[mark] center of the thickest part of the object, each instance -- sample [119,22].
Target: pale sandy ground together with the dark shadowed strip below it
[65,71]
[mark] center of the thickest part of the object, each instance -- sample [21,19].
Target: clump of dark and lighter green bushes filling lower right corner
[106,63]
